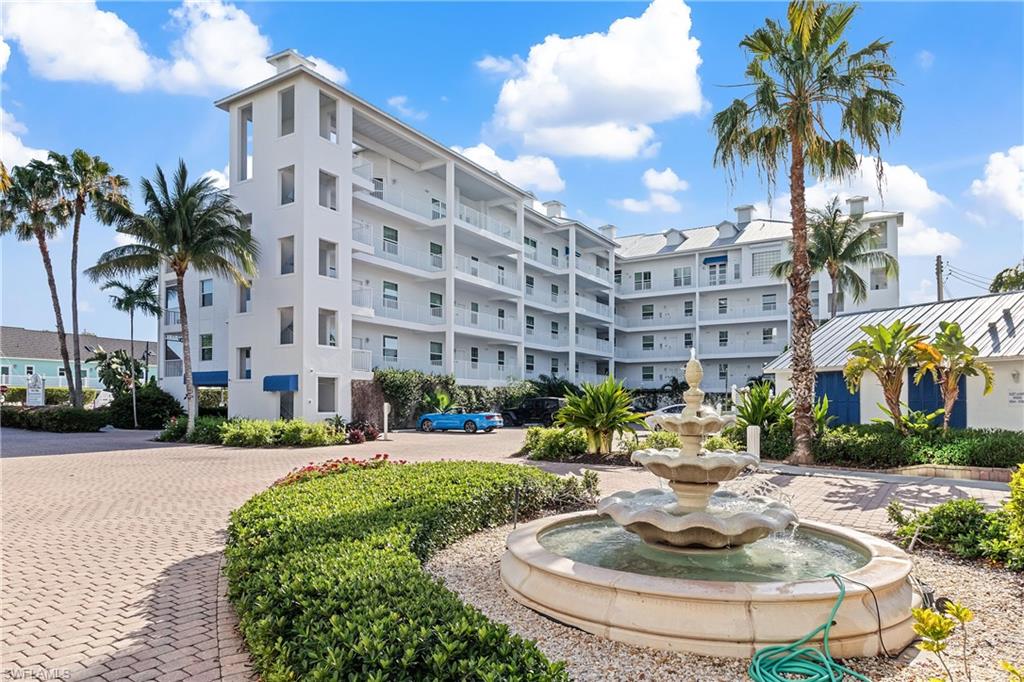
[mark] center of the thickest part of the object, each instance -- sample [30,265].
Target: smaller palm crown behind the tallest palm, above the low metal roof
[838,245]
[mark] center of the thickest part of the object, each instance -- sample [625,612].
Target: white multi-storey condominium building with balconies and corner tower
[382,248]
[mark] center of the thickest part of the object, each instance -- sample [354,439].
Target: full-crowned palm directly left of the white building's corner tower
[186,226]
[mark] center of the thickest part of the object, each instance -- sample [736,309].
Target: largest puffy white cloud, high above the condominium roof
[598,95]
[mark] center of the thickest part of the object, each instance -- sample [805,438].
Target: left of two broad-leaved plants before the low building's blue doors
[887,353]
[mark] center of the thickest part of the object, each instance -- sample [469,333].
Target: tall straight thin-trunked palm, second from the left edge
[84,181]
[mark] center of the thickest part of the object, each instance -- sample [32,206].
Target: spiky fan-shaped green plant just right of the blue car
[602,412]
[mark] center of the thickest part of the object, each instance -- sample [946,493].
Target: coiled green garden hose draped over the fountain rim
[796,662]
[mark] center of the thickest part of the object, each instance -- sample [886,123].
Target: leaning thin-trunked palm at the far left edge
[30,210]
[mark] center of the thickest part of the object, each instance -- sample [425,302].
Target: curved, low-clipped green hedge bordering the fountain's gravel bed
[327,577]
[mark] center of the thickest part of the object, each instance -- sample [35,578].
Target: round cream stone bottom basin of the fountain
[732,617]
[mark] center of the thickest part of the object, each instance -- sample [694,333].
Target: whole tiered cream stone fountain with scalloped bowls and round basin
[702,569]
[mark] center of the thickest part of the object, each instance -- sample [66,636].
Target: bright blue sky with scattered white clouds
[135,83]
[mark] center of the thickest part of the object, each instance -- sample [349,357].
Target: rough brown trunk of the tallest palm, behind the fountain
[800,310]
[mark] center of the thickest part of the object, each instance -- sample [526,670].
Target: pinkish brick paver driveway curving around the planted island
[112,560]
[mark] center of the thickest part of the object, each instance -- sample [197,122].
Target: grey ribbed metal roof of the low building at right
[995,324]
